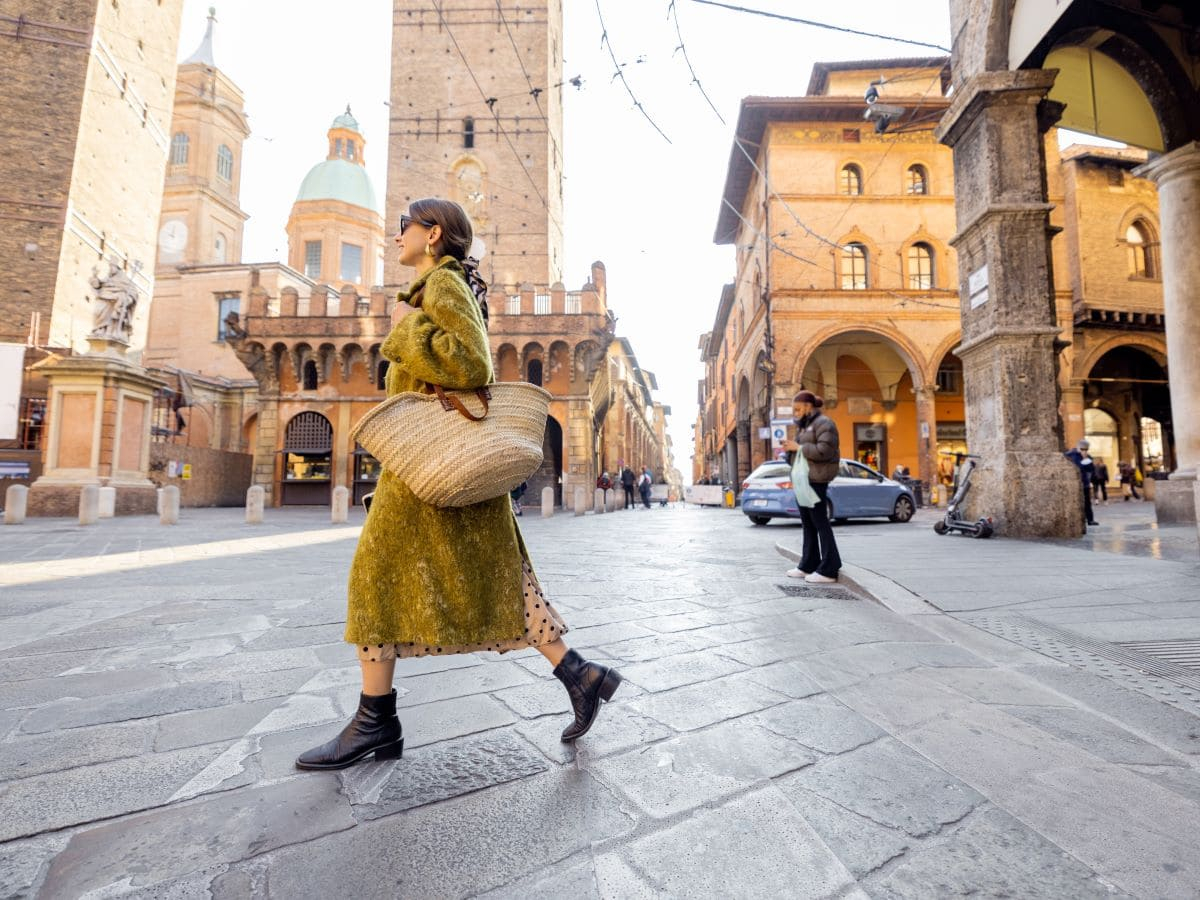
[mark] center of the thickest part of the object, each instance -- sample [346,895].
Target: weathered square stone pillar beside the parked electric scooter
[1010,349]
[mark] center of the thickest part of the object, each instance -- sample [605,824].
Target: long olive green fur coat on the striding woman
[427,575]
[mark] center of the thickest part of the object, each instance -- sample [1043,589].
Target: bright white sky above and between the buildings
[645,207]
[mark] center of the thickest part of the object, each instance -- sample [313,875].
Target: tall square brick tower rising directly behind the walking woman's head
[477,116]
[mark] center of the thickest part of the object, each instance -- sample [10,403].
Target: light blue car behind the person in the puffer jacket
[859,491]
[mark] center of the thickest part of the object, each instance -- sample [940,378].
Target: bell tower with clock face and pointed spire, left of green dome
[202,221]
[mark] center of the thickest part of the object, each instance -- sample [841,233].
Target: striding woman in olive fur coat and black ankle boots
[430,581]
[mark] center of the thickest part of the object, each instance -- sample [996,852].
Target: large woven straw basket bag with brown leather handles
[452,457]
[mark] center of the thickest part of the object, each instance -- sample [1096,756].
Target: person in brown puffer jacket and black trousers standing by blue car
[818,441]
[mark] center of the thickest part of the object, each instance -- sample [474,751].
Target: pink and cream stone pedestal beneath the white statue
[98,431]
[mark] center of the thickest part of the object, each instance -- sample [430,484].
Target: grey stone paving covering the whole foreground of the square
[961,717]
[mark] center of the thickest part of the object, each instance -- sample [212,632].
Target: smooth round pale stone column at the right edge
[1178,177]
